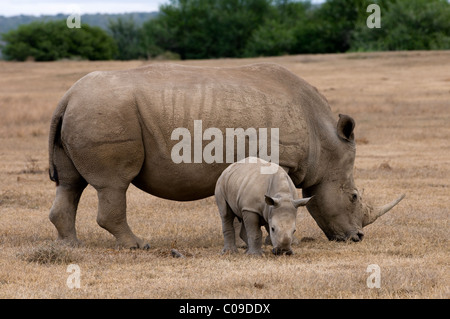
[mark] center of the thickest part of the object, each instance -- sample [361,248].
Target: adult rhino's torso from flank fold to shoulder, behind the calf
[259,96]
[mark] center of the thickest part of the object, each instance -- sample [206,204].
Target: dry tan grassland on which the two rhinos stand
[401,104]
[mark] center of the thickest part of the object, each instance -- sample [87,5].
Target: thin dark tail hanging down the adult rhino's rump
[55,138]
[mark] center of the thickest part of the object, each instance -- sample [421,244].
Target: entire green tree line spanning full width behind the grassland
[201,29]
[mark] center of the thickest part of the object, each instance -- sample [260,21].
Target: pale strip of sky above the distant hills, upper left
[50,7]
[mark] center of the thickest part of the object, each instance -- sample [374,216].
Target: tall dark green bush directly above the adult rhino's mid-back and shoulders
[197,29]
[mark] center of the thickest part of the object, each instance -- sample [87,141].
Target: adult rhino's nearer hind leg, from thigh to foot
[110,168]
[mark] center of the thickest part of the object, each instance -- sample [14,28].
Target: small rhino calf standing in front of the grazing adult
[244,190]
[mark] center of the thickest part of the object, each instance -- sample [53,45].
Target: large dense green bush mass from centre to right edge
[232,28]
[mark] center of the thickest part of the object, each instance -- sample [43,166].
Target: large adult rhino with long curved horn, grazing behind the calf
[115,128]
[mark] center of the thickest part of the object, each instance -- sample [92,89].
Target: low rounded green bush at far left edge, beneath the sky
[53,40]
